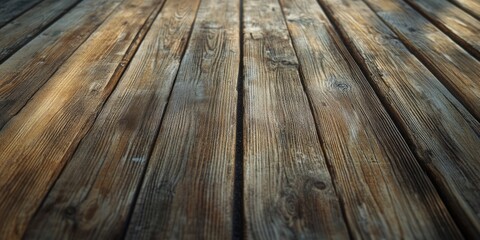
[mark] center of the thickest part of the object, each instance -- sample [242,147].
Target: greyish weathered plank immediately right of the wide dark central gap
[288,191]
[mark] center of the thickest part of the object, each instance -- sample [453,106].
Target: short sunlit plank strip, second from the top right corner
[460,26]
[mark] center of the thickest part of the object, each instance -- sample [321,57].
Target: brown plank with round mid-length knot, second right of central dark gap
[374,171]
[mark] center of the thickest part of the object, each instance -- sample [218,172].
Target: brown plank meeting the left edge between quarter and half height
[29,68]
